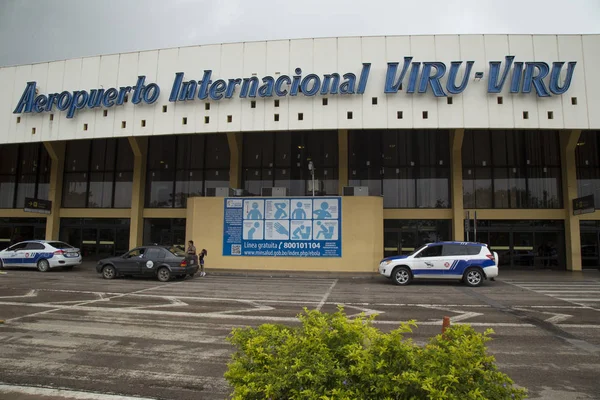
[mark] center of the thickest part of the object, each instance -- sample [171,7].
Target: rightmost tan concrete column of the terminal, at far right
[568,144]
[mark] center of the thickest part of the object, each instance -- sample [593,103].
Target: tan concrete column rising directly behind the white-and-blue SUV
[458,212]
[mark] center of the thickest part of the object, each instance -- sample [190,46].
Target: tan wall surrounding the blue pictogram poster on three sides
[362,238]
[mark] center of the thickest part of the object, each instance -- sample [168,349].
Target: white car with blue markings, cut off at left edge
[41,254]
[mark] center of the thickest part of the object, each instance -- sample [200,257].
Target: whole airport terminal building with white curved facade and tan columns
[311,154]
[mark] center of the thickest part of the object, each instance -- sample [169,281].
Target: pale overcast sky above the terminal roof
[45,30]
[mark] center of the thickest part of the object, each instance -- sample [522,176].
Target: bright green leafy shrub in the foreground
[333,357]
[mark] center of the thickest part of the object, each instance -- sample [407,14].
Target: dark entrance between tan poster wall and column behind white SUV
[403,236]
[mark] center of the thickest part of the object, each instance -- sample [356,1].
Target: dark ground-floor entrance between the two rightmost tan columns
[531,244]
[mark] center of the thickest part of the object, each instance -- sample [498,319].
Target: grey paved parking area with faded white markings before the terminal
[139,337]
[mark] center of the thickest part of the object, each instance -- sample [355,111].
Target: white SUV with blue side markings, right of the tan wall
[468,262]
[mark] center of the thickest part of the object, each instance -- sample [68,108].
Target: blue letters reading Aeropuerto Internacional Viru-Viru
[412,77]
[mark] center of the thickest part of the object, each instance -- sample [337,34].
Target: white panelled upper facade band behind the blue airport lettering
[471,109]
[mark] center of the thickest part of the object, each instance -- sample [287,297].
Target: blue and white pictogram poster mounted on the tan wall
[283,227]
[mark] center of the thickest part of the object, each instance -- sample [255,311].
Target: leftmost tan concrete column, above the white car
[56,151]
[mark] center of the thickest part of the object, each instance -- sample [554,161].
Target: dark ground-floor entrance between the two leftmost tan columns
[96,237]
